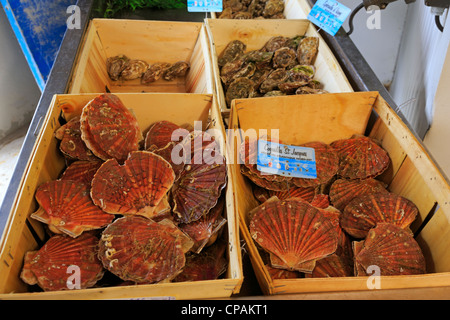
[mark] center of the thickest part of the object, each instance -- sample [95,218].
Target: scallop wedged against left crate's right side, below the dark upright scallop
[205,230]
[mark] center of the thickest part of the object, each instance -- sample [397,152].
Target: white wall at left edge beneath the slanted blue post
[19,93]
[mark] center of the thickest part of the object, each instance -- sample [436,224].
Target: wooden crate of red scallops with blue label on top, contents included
[330,202]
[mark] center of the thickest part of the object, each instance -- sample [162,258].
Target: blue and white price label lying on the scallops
[286,160]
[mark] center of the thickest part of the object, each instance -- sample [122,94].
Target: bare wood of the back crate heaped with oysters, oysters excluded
[255,33]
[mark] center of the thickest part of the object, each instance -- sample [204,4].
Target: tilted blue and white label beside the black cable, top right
[329,15]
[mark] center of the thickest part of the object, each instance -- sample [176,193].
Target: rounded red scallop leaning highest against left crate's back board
[109,129]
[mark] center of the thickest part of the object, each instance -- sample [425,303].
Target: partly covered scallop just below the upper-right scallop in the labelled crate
[342,191]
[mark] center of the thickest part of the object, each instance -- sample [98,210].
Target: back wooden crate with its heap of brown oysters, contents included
[264,57]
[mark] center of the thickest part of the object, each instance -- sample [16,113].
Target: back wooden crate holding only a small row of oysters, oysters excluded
[151,41]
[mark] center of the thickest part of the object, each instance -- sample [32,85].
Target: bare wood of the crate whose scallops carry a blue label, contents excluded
[412,174]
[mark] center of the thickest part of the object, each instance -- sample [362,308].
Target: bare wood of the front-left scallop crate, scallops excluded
[23,233]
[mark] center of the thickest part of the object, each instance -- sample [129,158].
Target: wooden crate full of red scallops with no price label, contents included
[125,196]
